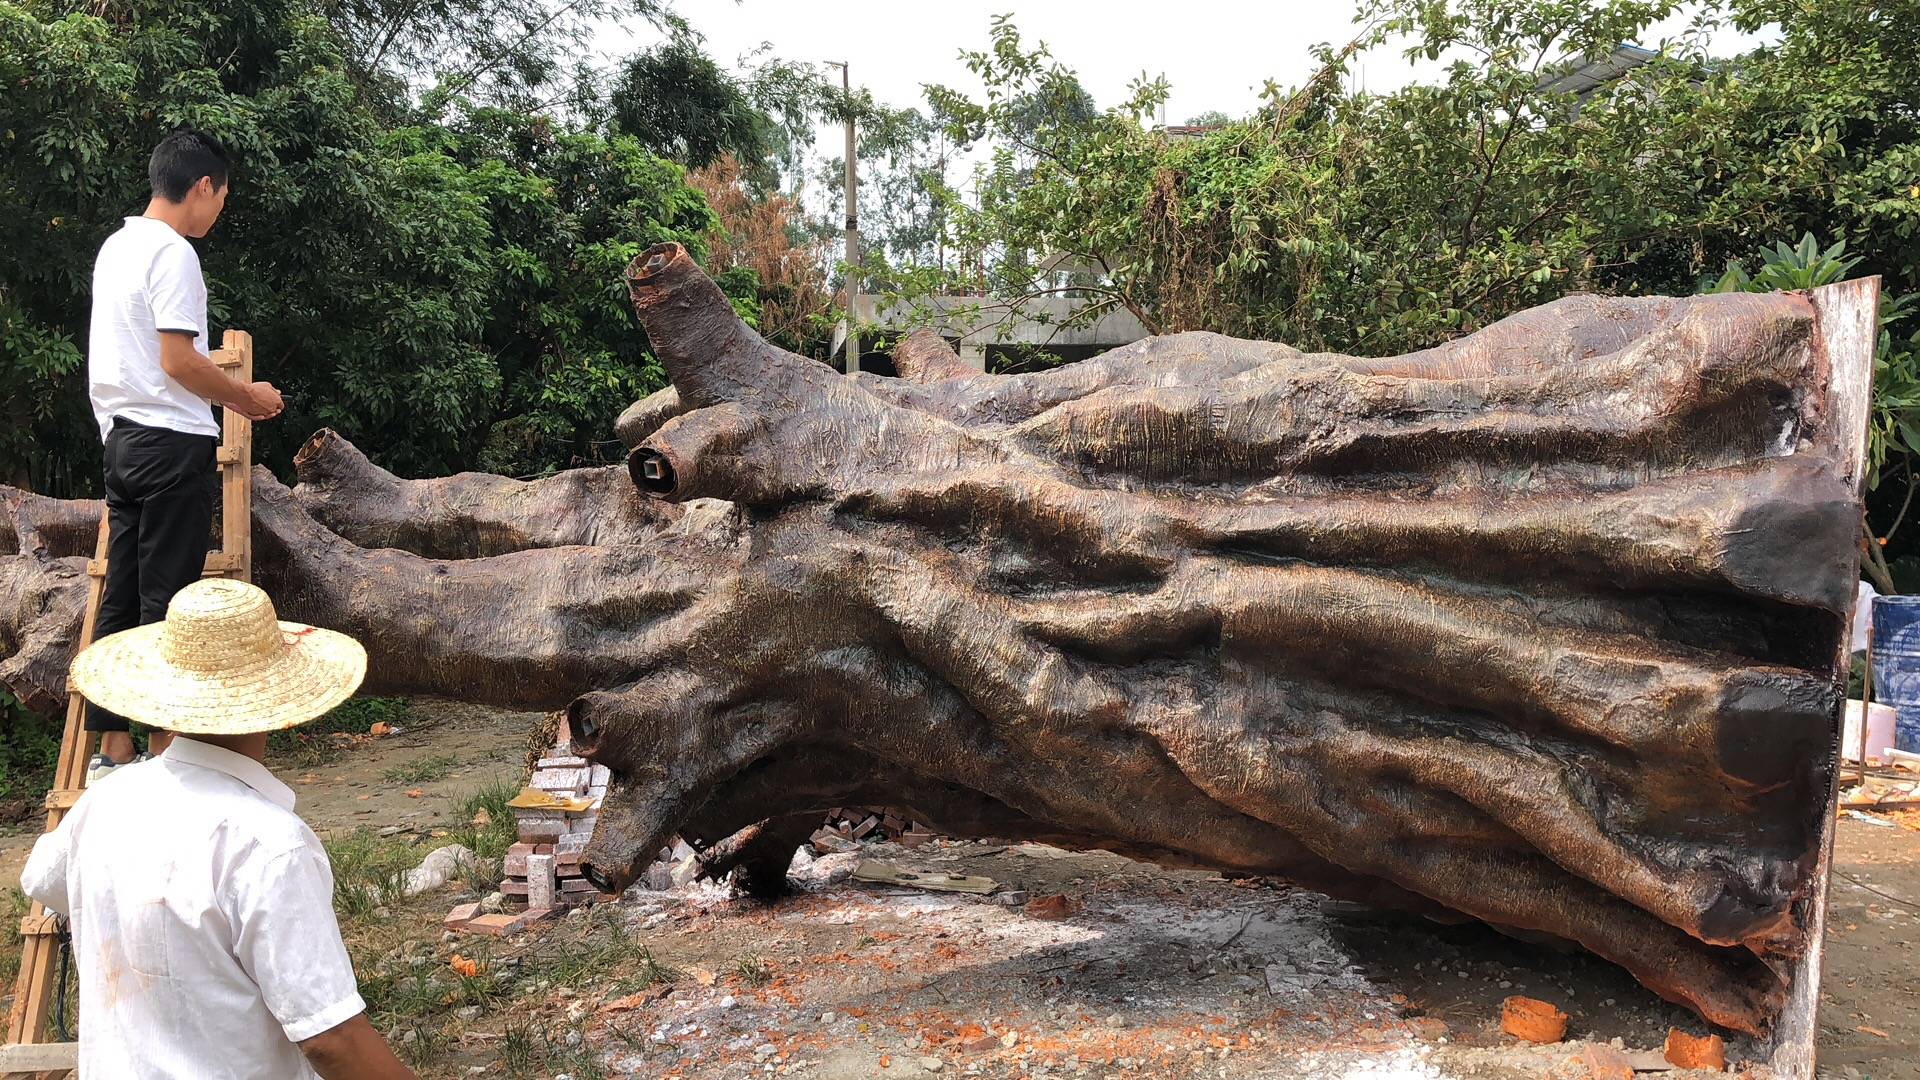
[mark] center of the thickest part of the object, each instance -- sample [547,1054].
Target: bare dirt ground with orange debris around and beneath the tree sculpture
[1147,971]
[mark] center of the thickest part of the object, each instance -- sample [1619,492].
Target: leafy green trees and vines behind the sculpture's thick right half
[1383,224]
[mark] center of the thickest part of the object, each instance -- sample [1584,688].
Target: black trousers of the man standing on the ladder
[160,518]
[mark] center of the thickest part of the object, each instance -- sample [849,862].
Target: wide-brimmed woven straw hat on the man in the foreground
[220,664]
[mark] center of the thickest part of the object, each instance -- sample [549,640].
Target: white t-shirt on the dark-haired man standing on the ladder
[147,280]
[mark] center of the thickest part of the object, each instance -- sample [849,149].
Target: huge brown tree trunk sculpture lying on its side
[1537,627]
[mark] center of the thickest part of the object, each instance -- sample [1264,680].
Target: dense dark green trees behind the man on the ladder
[444,293]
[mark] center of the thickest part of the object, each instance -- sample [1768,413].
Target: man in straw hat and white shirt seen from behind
[201,904]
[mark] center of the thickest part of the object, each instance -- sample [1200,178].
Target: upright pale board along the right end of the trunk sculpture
[1848,331]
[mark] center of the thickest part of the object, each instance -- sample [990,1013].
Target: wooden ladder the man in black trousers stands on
[24,1052]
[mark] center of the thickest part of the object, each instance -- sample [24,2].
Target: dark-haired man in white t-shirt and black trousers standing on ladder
[153,389]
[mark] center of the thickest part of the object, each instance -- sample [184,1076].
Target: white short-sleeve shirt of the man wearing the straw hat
[203,921]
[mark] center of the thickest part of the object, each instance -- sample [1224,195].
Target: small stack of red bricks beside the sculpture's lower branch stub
[542,871]
